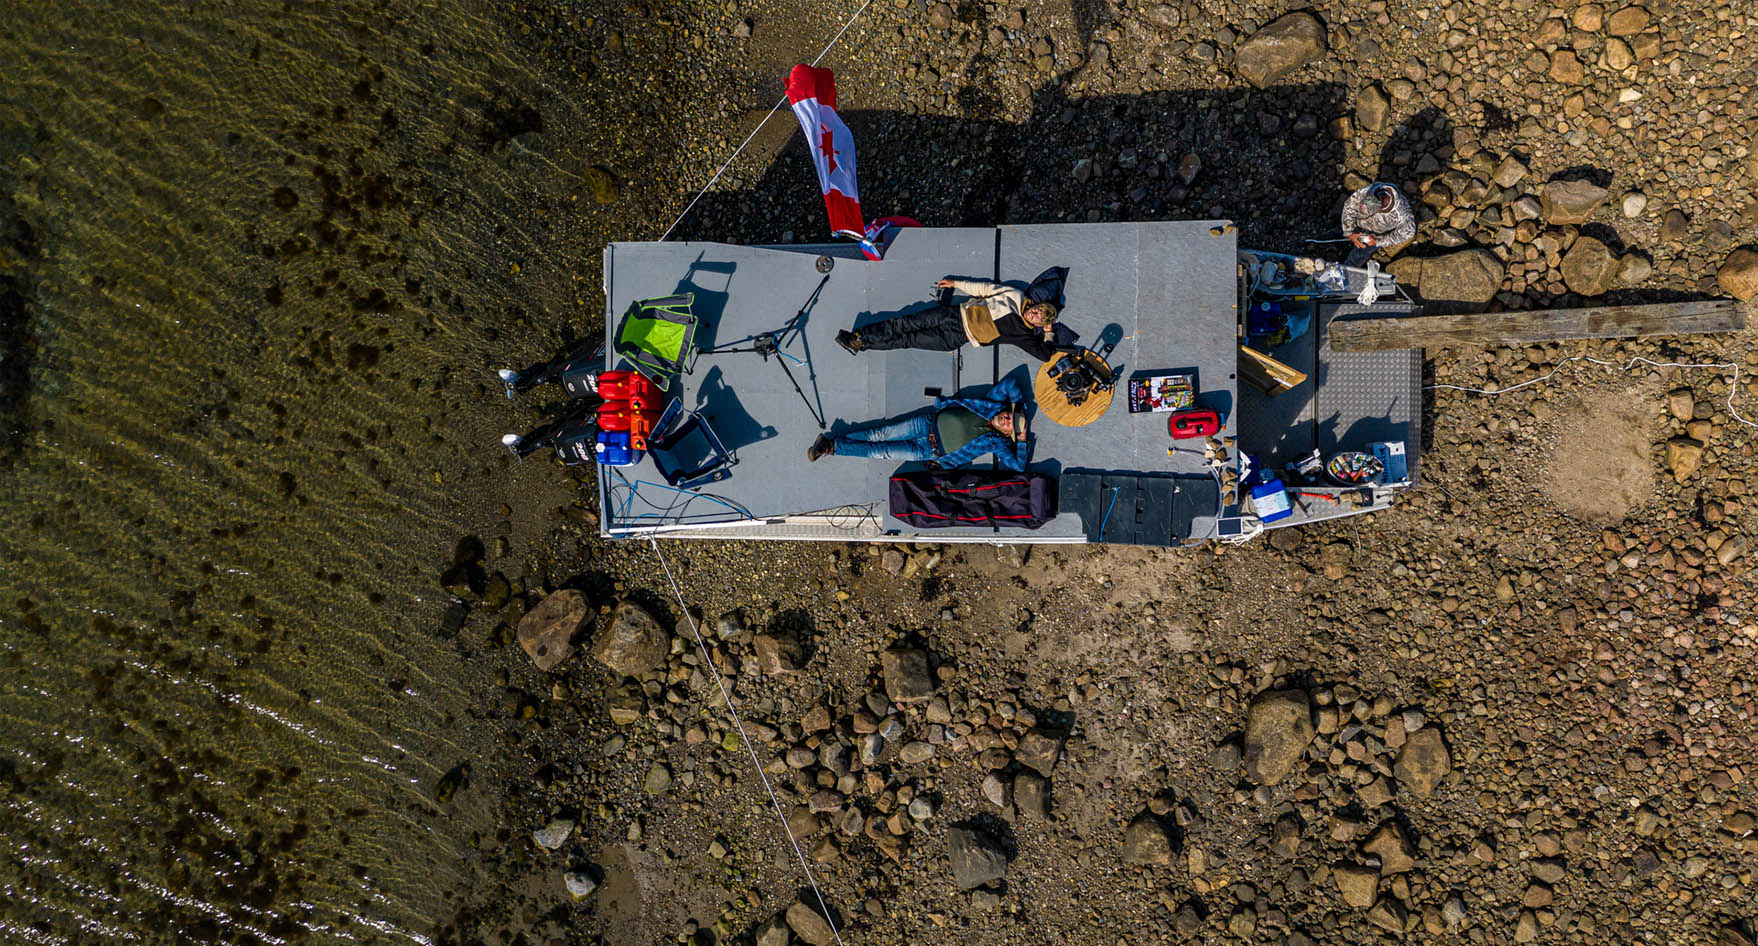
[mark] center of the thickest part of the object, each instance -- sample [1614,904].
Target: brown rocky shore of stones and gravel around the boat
[1518,708]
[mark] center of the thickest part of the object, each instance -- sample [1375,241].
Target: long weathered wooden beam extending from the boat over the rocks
[1518,328]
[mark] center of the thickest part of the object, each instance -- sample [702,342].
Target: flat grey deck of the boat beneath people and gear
[1165,293]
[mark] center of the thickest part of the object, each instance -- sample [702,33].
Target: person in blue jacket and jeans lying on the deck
[955,432]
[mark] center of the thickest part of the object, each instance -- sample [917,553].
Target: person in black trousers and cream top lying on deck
[992,316]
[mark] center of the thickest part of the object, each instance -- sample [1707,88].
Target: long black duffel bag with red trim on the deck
[996,498]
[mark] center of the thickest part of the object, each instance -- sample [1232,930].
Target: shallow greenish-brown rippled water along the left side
[258,265]
